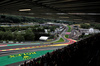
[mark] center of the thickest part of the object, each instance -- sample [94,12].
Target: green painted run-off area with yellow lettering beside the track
[9,59]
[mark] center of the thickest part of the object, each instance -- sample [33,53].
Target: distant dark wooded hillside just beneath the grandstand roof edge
[21,19]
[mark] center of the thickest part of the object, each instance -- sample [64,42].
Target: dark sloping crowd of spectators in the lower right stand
[83,53]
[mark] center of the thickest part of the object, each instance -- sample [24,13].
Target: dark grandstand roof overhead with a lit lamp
[70,10]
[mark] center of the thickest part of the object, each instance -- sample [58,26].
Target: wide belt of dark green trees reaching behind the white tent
[29,33]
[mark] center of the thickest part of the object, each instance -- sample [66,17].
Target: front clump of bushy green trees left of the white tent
[17,36]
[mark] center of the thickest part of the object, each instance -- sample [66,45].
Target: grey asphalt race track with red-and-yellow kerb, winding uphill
[8,50]
